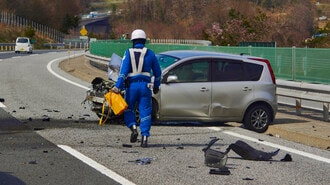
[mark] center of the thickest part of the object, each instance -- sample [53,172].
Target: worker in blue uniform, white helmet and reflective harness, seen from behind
[138,66]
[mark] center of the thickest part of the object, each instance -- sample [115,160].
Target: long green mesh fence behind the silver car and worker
[291,63]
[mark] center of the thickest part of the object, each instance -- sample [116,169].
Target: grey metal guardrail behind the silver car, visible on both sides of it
[297,90]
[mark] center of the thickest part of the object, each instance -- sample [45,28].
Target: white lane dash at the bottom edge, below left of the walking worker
[109,173]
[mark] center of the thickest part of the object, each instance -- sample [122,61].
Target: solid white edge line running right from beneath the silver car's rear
[298,152]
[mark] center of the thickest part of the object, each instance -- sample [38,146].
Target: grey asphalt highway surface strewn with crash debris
[48,137]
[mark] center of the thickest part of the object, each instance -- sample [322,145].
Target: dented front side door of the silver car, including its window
[189,95]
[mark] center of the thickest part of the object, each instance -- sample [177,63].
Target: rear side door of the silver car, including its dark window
[230,92]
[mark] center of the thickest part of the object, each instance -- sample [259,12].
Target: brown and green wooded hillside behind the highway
[224,22]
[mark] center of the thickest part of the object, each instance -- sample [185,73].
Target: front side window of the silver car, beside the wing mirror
[195,71]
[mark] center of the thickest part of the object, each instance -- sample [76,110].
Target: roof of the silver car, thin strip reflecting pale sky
[181,54]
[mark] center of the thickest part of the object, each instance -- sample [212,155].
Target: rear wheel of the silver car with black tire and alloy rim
[257,118]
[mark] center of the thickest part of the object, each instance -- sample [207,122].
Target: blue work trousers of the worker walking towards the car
[139,94]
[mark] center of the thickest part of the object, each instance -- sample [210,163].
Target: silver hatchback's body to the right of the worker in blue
[216,87]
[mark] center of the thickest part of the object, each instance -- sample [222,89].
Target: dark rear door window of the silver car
[228,70]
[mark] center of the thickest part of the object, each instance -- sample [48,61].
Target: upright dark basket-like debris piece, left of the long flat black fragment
[214,158]
